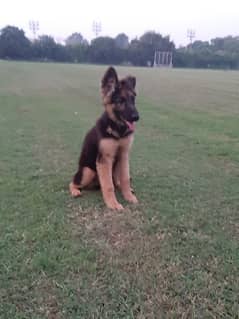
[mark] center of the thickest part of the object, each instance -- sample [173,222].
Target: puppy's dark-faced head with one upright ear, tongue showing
[119,98]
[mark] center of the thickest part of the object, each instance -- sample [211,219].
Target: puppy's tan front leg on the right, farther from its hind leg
[125,178]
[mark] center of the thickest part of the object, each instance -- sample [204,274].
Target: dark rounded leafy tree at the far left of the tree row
[14,44]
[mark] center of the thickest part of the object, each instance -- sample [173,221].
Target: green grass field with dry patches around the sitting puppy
[176,254]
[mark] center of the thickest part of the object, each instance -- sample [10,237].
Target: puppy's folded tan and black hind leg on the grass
[82,179]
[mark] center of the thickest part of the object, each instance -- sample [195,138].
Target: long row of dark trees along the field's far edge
[218,53]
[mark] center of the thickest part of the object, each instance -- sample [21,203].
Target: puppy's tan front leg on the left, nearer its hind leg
[104,167]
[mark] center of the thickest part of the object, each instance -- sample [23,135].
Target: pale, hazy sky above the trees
[60,18]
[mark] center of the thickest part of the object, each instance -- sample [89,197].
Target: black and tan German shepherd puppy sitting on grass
[105,153]
